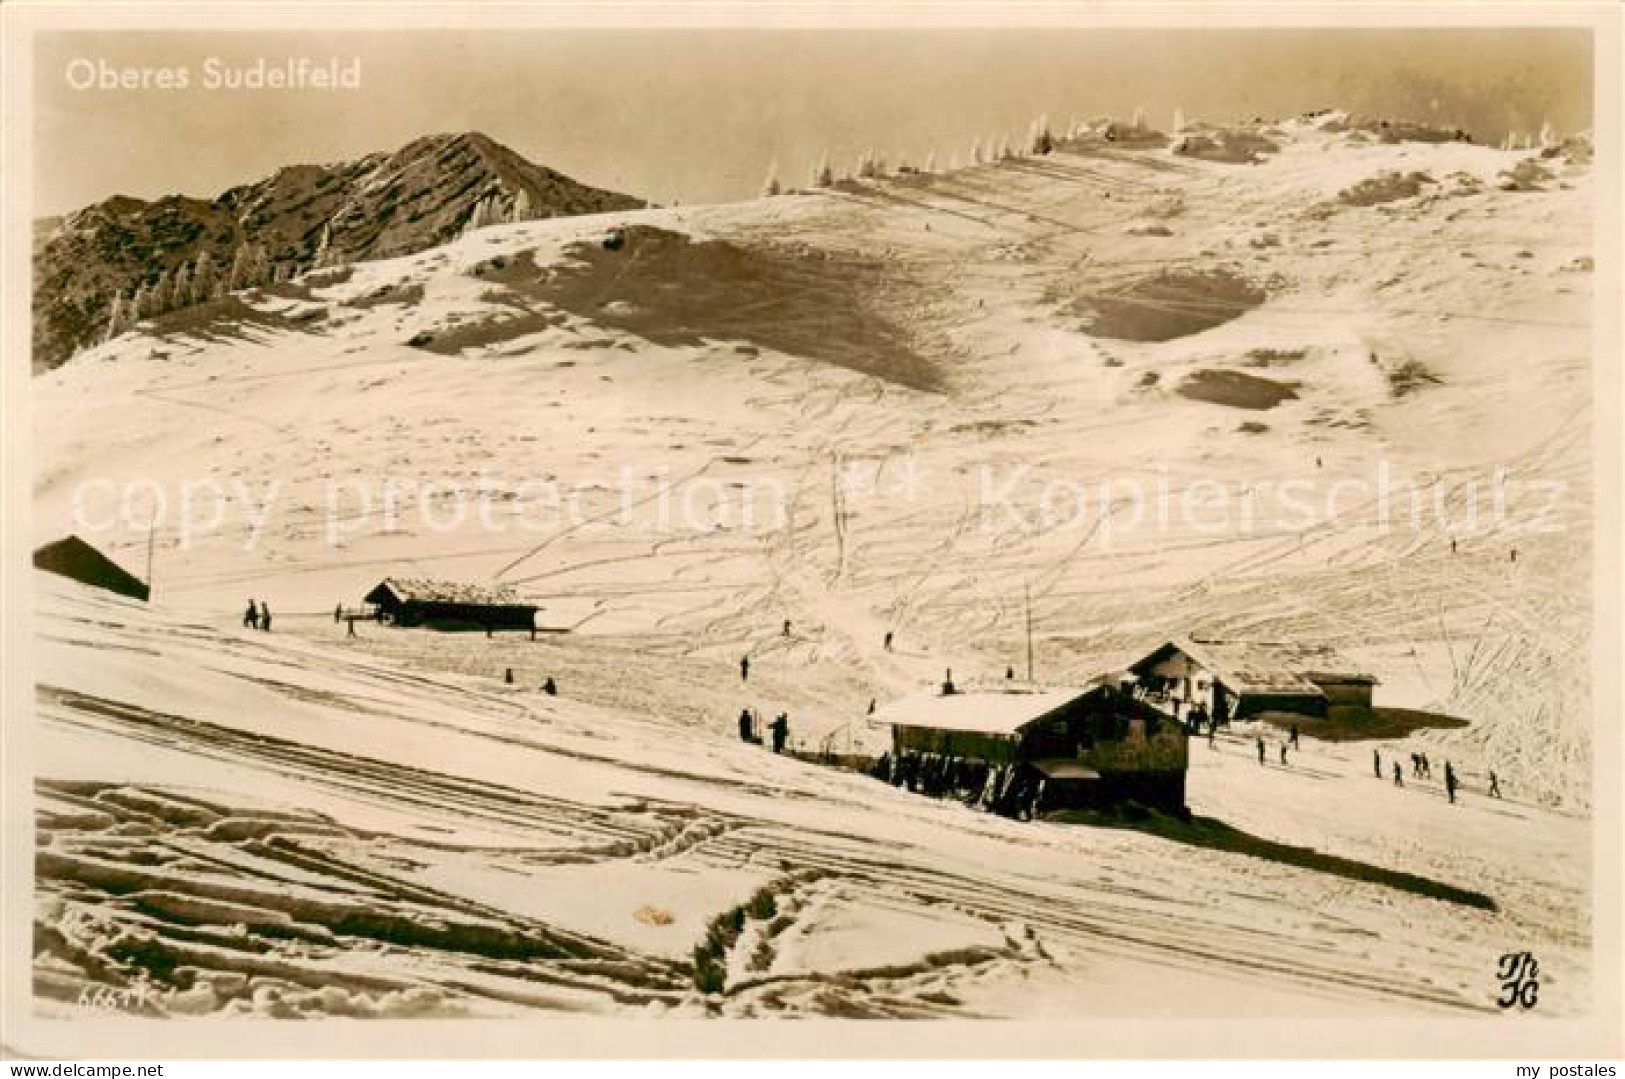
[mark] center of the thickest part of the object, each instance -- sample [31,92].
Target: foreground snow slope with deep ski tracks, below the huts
[277,826]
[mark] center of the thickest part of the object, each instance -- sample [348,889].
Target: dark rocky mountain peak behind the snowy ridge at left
[173,253]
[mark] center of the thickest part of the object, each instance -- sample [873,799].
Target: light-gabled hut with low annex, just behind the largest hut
[1233,680]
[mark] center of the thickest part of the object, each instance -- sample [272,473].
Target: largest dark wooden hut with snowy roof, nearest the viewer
[1093,748]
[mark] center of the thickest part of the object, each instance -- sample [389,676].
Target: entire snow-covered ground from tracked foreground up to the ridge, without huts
[308,825]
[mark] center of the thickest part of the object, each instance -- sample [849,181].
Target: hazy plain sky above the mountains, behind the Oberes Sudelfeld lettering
[698,116]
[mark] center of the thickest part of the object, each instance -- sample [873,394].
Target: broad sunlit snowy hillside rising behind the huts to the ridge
[898,381]
